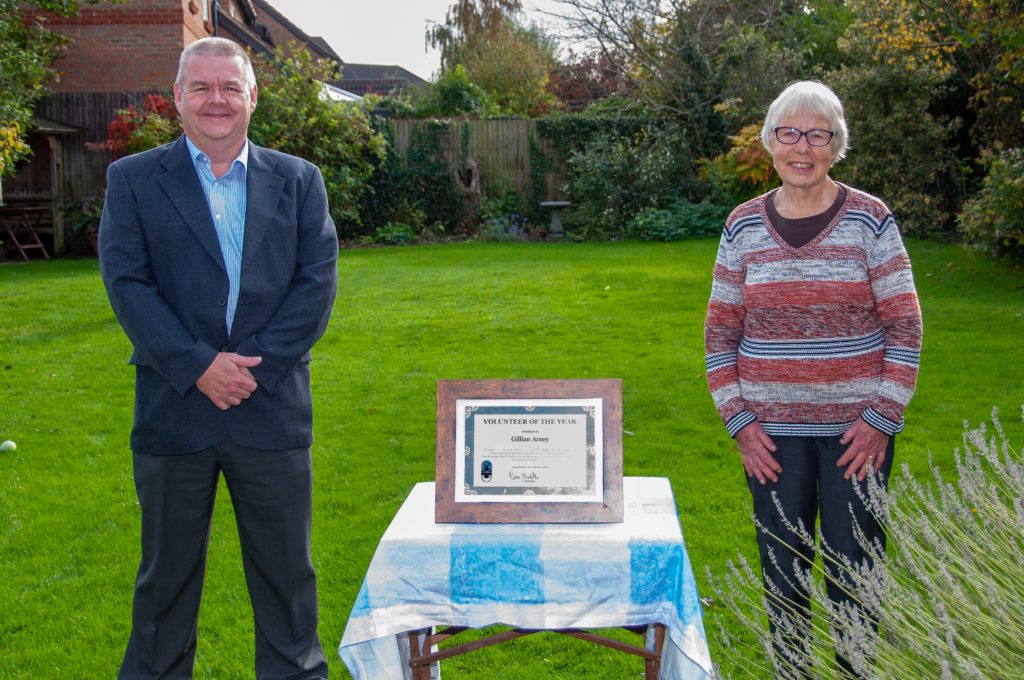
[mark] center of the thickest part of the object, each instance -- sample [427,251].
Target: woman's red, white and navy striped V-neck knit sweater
[806,341]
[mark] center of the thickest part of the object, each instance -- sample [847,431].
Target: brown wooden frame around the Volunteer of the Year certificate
[608,511]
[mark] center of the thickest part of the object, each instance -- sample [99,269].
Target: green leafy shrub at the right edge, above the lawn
[995,218]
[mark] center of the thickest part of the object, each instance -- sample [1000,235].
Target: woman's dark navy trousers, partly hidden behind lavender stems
[810,488]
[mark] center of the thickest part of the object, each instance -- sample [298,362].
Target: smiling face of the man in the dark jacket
[216,103]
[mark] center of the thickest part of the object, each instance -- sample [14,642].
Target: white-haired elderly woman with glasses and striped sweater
[813,341]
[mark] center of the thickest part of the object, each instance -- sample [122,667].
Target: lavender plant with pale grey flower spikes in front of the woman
[947,601]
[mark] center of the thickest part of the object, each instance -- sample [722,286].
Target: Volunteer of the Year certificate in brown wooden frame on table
[529,451]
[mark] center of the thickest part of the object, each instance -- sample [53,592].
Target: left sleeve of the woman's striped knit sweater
[723,331]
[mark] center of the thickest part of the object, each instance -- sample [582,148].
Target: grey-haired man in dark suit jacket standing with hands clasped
[221,262]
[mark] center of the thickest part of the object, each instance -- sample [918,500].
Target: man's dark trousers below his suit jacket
[272,495]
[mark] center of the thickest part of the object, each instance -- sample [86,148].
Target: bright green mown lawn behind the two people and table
[405,319]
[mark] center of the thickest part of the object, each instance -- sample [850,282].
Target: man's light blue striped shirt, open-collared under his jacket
[227,199]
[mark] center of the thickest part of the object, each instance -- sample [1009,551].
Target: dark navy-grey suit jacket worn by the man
[166,280]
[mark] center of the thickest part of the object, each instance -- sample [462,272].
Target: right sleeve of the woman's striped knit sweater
[897,304]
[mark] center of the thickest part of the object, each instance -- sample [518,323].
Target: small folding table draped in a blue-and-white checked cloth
[561,578]
